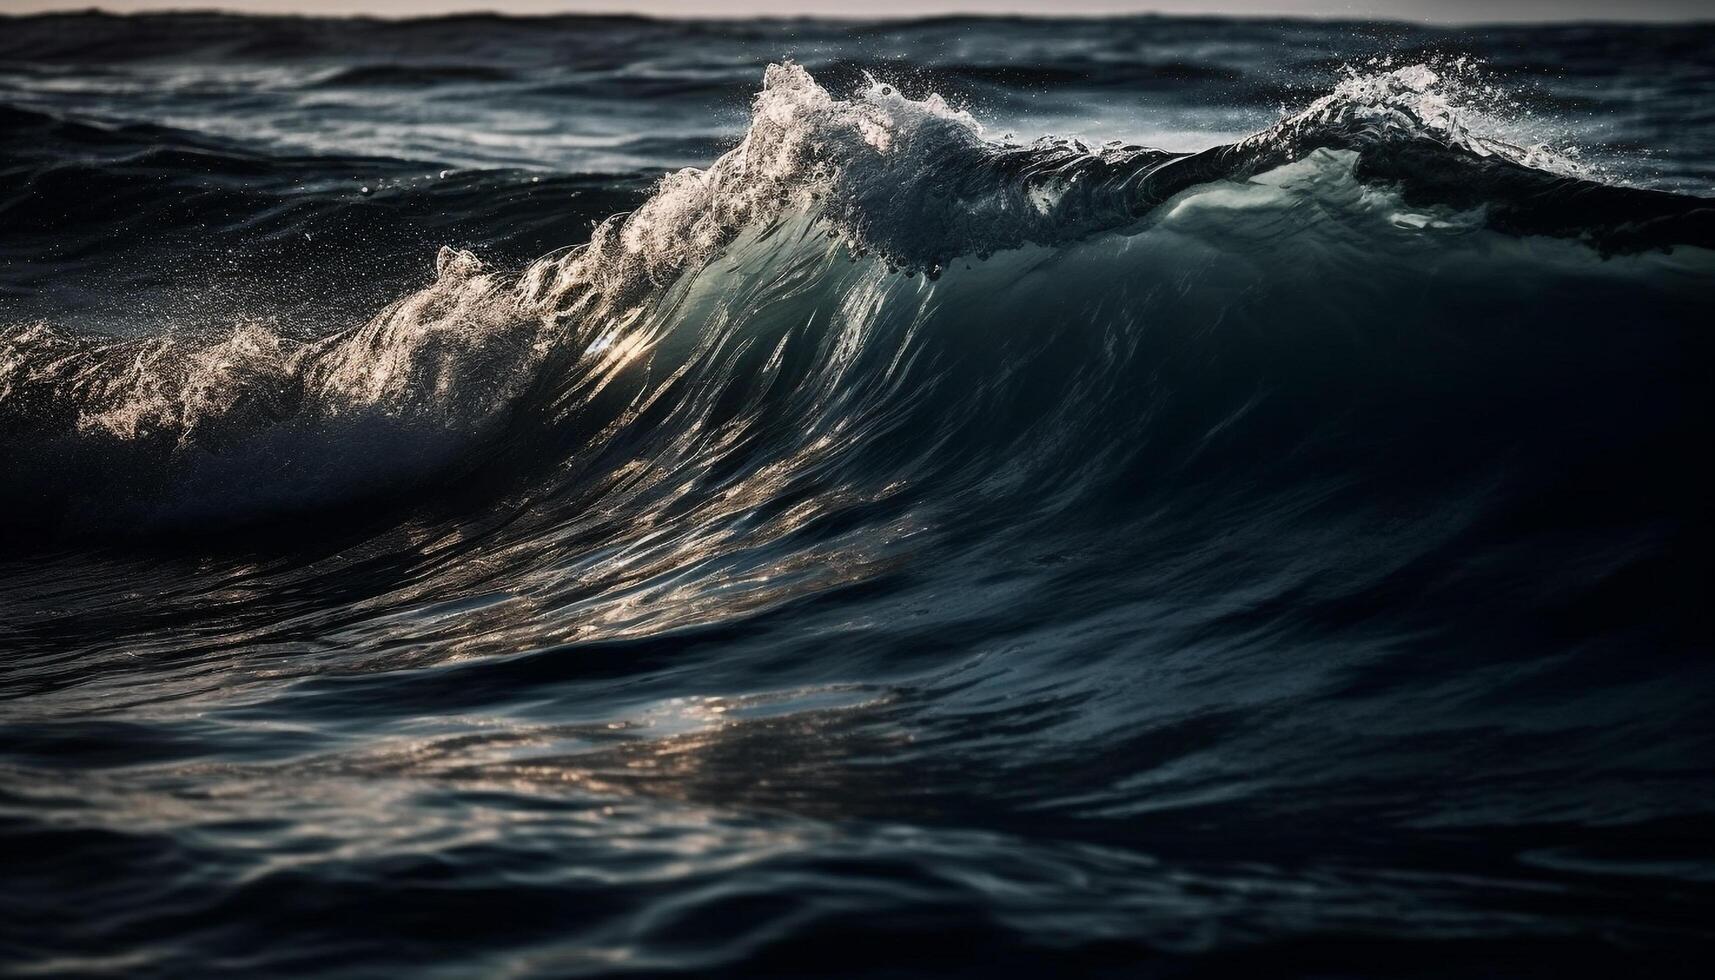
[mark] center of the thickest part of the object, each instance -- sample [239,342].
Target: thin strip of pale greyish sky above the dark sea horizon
[1431,11]
